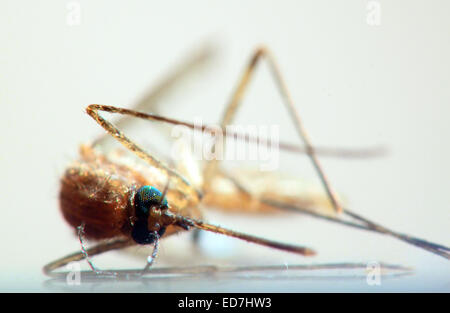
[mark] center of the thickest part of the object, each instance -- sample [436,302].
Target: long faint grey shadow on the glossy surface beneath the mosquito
[158,278]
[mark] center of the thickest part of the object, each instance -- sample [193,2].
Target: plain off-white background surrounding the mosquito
[355,85]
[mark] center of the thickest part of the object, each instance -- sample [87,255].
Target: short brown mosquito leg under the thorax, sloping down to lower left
[116,244]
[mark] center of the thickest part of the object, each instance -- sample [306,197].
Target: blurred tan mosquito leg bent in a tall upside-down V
[236,100]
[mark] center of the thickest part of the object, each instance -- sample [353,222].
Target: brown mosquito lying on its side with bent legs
[122,206]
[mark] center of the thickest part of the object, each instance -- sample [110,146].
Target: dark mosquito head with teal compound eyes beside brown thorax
[150,207]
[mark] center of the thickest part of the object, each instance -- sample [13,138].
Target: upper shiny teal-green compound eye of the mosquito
[147,197]
